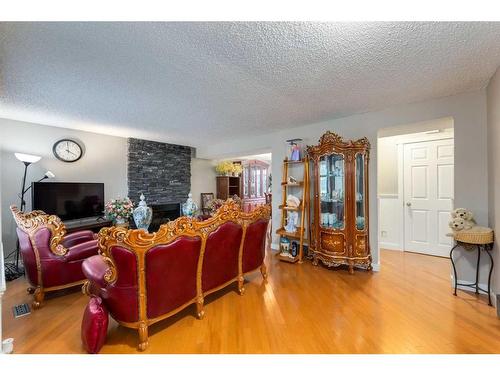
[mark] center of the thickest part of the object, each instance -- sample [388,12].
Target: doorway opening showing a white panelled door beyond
[415,177]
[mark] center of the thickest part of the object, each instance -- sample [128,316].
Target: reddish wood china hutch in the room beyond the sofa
[255,181]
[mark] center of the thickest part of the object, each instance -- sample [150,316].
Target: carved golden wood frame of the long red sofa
[139,242]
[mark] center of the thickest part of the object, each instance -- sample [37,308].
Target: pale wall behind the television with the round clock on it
[104,160]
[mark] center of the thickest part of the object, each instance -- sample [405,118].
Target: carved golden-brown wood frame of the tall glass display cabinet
[333,143]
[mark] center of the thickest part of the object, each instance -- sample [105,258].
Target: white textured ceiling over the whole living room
[192,83]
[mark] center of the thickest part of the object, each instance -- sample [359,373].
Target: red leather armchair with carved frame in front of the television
[52,259]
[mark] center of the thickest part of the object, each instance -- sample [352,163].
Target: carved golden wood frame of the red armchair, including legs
[30,223]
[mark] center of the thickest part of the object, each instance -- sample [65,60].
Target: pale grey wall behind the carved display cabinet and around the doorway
[468,112]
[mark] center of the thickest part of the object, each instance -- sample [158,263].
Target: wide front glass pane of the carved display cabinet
[332,188]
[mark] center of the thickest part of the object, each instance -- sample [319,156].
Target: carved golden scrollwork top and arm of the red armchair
[32,221]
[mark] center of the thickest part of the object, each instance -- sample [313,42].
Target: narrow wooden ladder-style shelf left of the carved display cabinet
[303,209]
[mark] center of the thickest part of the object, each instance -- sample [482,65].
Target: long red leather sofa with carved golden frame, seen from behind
[143,278]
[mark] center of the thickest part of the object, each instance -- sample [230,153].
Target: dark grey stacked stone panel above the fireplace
[161,171]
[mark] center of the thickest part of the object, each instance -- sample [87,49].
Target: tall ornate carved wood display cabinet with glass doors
[340,202]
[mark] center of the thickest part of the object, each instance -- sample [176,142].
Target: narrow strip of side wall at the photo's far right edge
[493,105]
